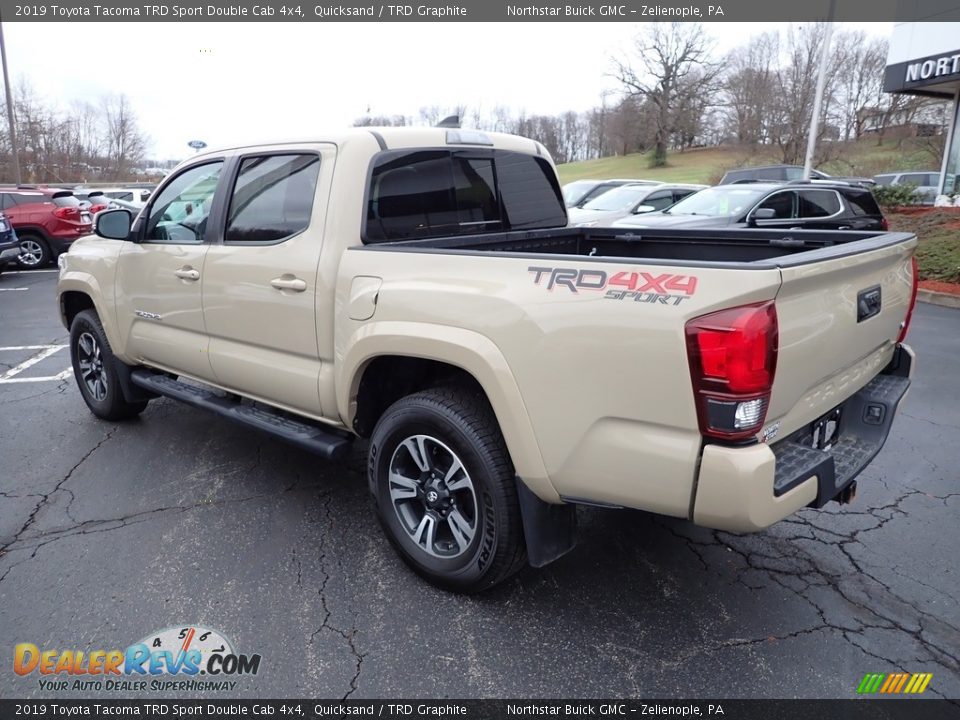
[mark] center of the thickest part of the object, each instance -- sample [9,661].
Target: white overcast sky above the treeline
[245,82]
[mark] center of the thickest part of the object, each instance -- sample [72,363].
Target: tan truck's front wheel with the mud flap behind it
[94,369]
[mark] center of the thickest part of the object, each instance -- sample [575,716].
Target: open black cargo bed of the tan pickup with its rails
[739,247]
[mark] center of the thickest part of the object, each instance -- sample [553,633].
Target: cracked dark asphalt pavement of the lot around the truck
[110,531]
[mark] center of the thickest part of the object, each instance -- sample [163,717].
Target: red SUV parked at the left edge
[47,221]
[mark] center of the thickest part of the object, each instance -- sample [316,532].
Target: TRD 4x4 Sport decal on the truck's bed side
[664,288]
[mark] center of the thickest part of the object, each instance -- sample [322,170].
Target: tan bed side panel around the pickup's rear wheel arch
[604,382]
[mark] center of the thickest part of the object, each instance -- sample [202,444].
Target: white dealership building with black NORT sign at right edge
[924,59]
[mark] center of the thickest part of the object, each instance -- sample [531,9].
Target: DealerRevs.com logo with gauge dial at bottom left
[171,659]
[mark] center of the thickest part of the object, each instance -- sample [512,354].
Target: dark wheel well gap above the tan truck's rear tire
[387,379]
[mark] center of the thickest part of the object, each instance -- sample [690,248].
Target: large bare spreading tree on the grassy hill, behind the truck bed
[668,56]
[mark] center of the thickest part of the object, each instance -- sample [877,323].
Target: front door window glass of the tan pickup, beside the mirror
[180,212]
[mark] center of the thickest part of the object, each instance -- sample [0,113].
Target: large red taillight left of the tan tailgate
[733,358]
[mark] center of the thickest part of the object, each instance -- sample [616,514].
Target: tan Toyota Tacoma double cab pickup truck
[421,288]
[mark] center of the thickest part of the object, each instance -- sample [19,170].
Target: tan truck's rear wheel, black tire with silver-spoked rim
[445,490]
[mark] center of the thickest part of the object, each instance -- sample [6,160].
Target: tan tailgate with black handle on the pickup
[839,316]
